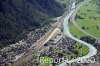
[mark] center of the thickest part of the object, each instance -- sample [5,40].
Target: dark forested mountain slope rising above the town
[17,17]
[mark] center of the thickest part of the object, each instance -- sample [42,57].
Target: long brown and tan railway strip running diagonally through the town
[39,44]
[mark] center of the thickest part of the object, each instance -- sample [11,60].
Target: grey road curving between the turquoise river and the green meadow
[73,21]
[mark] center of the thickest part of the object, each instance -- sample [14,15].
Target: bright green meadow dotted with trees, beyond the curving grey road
[89,19]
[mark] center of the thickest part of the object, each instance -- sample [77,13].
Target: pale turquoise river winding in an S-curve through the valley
[92,49]
